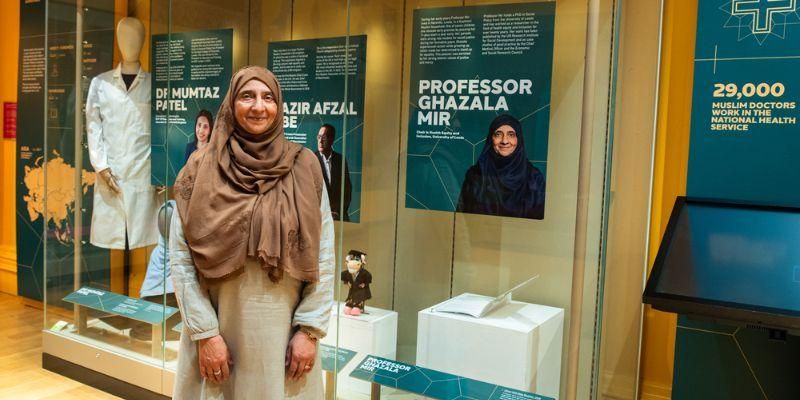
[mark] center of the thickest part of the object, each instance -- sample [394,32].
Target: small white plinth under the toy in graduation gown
[373,333]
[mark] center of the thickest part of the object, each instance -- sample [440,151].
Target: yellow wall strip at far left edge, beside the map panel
[9,45]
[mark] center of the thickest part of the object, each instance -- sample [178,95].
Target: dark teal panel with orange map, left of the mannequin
[47,216]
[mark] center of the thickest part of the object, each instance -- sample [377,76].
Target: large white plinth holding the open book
[518,345]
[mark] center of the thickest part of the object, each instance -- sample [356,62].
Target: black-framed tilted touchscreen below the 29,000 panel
[730,263]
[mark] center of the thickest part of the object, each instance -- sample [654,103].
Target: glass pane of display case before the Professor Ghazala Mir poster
[437,225]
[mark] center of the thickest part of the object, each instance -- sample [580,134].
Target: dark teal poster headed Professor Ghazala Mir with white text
[454,100]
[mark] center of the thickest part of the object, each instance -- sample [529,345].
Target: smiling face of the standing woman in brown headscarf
[255,107]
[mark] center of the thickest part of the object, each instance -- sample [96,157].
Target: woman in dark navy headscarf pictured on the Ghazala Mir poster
[503,182]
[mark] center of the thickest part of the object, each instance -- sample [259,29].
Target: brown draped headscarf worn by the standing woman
[251,195]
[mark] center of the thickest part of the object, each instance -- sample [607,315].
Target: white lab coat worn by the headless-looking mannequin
[118,130]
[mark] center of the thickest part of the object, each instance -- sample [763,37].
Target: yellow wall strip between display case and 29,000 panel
[669,180]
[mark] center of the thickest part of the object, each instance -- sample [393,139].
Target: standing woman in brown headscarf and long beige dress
[251,251]
